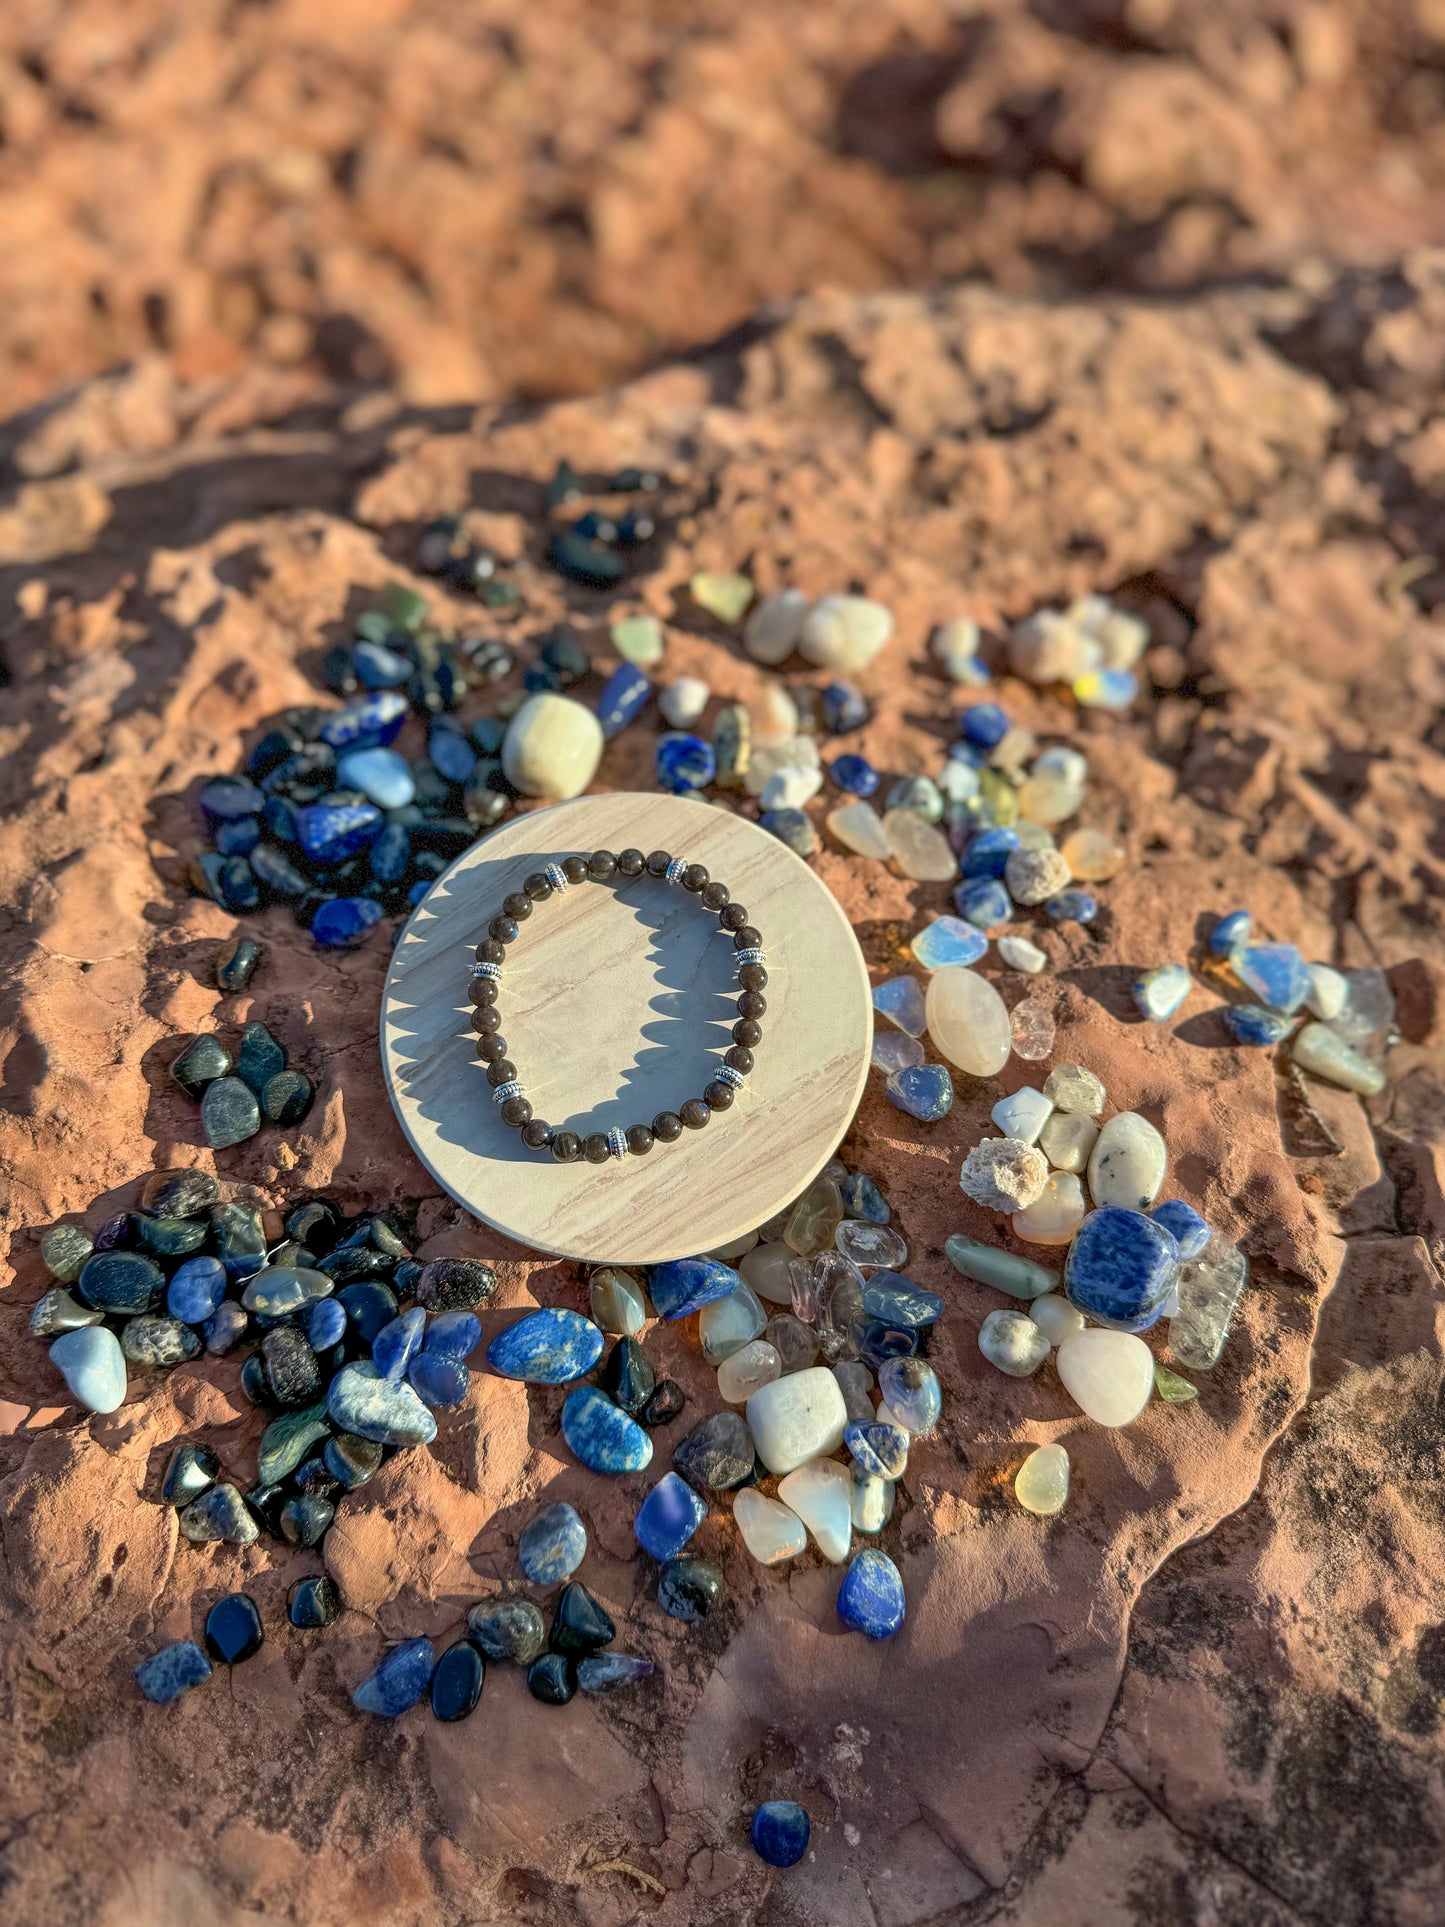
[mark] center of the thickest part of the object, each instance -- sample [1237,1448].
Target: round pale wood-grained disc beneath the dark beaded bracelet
[617,1003]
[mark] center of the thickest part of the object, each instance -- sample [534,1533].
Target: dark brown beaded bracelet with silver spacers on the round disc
[492,1047]
